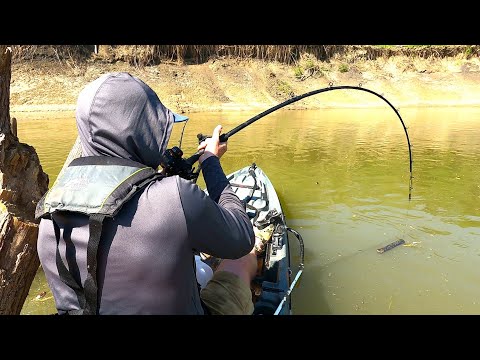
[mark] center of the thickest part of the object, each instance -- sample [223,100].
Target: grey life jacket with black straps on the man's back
[97,186]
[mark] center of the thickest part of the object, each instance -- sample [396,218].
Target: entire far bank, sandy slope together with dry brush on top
[239,77]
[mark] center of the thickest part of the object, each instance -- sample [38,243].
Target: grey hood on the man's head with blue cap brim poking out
[119,115]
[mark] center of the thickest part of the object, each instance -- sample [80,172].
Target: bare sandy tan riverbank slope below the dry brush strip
[235,84]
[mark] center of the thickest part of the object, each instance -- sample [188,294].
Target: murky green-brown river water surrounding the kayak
[343,179]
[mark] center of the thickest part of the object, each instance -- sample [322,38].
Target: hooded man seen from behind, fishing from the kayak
[136,255]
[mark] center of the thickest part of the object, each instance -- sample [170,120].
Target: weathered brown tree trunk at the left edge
[22,184]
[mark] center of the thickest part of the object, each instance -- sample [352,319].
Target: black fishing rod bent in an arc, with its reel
[174,164]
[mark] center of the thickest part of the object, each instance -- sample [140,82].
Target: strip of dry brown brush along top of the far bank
[144,55]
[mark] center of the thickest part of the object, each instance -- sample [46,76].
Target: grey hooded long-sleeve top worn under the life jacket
[146,253]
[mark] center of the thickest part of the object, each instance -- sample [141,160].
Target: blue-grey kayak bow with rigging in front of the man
[272,285]
